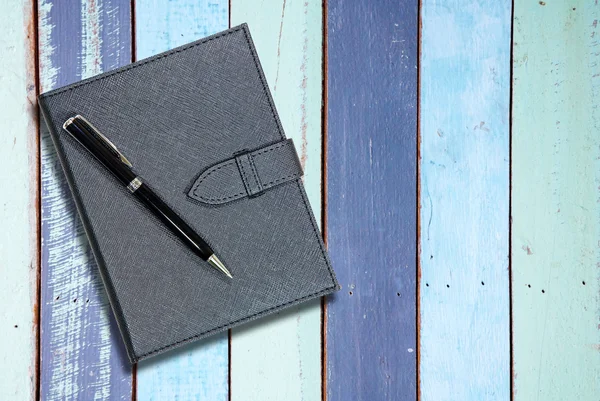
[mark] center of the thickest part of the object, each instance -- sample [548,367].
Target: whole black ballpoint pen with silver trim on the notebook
[108,155]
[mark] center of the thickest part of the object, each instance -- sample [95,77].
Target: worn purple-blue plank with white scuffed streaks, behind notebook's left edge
[82,355]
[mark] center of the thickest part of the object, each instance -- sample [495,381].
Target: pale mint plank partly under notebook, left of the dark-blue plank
[279,357]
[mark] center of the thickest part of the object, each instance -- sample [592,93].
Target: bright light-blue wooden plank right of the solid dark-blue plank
[464,200]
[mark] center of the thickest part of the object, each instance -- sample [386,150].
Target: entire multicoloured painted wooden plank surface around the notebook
[401,114]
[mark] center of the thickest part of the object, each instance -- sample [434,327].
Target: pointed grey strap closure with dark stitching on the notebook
[248,174]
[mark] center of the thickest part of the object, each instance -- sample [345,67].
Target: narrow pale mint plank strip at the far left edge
[19,213]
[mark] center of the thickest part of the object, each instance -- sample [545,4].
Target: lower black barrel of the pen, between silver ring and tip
[172,221]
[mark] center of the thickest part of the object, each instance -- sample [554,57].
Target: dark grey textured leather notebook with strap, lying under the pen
[199,125]
